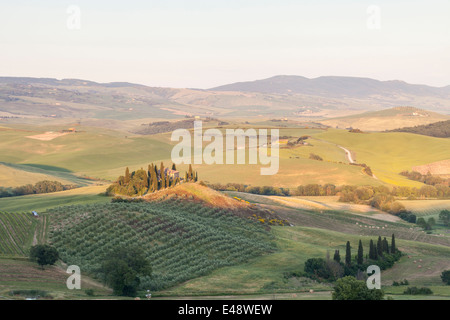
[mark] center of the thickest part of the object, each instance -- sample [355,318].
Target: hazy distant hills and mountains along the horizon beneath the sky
[279,96]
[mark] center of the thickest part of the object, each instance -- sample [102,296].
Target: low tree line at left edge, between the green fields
[44,186]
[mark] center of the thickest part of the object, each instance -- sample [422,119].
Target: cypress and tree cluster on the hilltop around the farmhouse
[140,182]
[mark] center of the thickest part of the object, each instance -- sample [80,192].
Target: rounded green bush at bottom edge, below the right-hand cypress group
[349,288]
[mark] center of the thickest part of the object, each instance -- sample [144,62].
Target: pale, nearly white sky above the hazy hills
[203,44]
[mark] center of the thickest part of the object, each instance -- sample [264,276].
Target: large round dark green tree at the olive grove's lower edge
[123,268]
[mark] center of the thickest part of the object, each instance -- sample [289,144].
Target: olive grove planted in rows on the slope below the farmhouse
[182,240]
